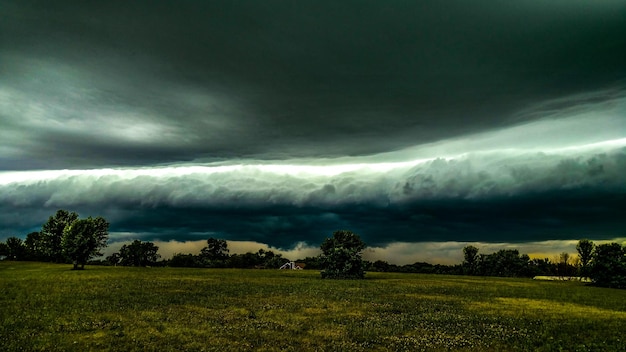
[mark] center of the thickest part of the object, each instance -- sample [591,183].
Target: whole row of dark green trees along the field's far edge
[65,238]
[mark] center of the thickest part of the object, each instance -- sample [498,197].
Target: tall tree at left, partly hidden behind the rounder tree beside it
[52,235]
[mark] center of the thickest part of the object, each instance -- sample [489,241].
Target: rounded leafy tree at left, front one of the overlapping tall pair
[83,239]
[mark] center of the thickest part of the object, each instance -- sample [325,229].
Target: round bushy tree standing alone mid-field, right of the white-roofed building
[341,256]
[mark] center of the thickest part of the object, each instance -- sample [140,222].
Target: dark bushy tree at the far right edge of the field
[608,266]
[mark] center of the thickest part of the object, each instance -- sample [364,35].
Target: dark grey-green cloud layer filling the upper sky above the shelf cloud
[273,79]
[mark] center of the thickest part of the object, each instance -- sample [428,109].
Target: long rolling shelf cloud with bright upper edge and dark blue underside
[475,197]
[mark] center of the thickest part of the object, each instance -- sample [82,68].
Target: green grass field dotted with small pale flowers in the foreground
[47,307]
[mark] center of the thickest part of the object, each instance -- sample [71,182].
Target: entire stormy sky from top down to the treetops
[420,125]
